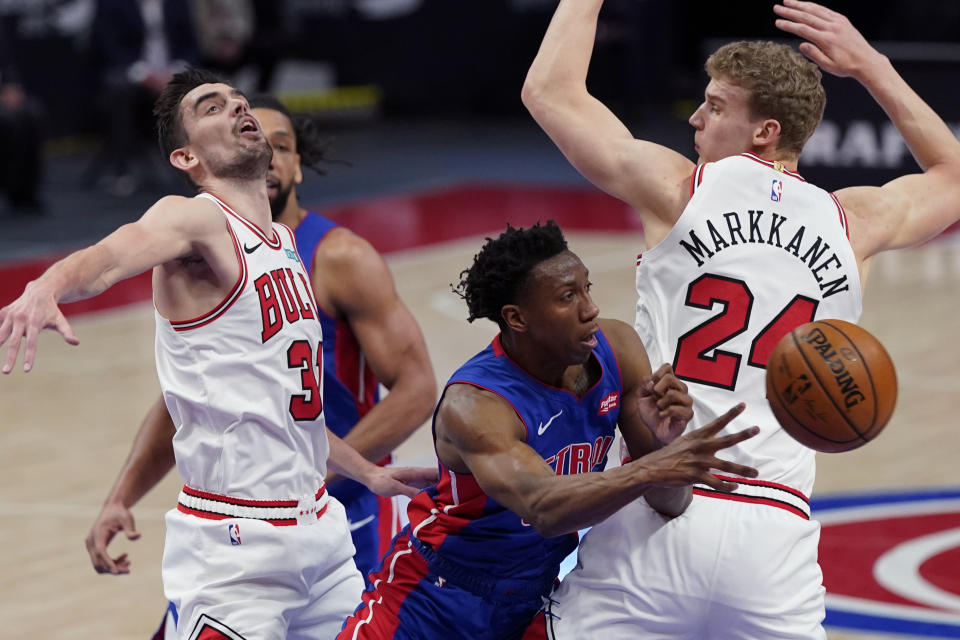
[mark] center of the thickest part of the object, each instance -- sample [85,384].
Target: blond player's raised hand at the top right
[834,44]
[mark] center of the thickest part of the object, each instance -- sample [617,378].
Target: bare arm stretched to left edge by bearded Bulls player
[173,227]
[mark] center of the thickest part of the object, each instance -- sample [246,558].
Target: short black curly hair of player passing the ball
[503,266]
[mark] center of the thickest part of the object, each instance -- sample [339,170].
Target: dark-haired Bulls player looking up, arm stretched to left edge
[256,546]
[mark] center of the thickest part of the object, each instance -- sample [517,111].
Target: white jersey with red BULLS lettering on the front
[242,382]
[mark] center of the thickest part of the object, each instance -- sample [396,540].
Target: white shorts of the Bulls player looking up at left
[244,578]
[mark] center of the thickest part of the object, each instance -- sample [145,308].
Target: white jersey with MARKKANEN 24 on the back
[756,252]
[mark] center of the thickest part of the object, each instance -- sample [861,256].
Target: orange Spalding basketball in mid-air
[831,385]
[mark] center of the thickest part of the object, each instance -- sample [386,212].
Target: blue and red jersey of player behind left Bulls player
[350,388]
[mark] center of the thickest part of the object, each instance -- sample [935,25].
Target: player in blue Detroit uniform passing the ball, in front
[522,432]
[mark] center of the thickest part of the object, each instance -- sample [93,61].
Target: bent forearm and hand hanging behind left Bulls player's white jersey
[151,457]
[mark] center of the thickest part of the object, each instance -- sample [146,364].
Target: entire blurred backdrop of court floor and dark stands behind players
[432,150]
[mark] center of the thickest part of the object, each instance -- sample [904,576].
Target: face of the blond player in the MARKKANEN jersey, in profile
[723,122]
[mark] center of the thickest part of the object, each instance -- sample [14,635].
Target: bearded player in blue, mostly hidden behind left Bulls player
[369,337]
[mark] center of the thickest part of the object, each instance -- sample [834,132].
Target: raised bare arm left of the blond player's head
[649,177]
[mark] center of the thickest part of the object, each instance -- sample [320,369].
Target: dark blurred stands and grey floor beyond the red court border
[415,92]
